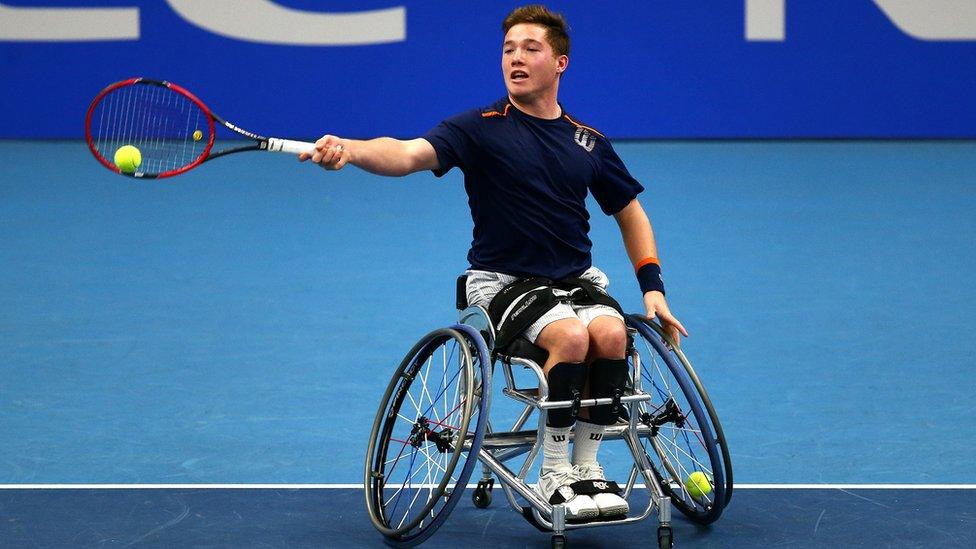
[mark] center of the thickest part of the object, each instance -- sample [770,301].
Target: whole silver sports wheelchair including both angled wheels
[433,427]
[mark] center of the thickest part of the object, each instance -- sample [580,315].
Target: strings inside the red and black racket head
[157,120]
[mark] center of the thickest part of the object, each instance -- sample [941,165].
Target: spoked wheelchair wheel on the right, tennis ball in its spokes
[682,434]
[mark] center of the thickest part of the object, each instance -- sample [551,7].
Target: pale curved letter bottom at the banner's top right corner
[940,20]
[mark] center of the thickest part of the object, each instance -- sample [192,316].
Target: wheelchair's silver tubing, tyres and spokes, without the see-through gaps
[493,448]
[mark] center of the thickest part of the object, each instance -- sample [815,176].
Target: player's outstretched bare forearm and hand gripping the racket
[382,156]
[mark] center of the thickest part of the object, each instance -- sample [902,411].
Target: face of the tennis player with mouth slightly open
[529,65]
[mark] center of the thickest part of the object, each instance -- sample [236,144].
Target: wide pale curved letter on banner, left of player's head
[267,22]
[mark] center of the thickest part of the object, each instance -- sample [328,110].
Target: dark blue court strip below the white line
[336,518]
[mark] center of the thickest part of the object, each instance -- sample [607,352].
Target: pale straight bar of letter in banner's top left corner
[68,24]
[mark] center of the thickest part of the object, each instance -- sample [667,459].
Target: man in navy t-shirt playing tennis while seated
[528,166]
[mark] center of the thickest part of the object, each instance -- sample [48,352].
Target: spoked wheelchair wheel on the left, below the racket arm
[426,436]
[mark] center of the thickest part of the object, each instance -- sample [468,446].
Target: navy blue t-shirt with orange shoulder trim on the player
[527,179]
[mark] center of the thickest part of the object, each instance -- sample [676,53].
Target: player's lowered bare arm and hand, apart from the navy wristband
[638,236]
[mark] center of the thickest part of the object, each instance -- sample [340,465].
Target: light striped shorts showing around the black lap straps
[483,285]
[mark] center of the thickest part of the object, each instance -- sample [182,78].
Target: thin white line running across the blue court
[360,486]
